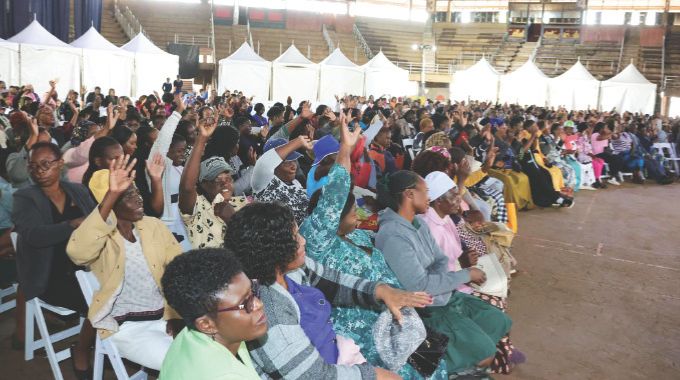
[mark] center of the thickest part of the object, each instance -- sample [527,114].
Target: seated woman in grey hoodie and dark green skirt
[473,326]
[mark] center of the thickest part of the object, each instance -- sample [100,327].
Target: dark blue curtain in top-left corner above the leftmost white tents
[53,15]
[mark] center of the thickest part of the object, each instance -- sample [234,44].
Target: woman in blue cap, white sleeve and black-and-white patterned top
[274,175]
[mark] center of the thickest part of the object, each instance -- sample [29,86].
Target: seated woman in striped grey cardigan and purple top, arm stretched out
[297,293]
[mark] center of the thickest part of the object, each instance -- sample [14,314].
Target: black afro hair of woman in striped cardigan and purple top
[261,237]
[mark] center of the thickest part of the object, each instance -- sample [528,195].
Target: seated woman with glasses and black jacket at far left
[44,216]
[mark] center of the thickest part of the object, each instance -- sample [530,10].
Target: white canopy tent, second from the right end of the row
[575,89]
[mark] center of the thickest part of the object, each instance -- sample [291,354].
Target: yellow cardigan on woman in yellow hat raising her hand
[99,245]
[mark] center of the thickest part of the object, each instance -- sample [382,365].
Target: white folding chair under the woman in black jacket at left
[34,315]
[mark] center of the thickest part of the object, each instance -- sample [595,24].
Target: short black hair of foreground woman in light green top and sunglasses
[192,281]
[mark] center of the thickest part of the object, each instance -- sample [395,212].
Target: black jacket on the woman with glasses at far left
[32,218]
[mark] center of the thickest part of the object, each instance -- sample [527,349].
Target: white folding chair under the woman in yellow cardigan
[89,284]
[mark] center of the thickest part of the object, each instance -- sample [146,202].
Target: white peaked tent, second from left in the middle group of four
[296,76]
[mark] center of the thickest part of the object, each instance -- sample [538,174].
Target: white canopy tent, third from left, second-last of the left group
[104,64]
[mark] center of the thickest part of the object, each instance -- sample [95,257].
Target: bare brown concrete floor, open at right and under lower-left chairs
[597,296]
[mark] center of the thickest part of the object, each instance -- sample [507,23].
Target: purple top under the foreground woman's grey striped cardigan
[315,319]
